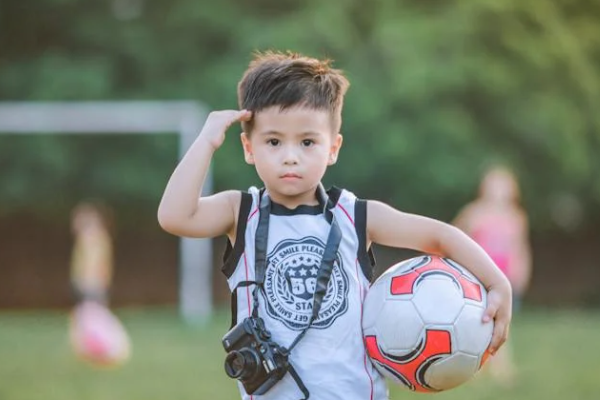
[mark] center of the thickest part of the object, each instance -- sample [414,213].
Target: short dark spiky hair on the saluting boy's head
[288,80]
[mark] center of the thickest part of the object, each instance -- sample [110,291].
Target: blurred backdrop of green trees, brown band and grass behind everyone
[440,90]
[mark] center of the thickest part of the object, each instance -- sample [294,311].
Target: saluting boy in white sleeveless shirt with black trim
[281,236]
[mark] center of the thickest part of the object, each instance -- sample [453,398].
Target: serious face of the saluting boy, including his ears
[291,150]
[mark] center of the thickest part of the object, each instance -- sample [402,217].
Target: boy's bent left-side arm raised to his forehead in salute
[181,212]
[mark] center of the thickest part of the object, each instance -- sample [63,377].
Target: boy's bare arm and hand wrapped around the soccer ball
[390,227]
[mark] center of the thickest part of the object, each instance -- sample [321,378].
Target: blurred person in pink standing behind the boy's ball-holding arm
[497,221]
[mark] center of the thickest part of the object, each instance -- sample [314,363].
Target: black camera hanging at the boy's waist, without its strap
[253,358]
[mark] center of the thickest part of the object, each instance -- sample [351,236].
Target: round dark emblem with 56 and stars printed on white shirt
[290,282]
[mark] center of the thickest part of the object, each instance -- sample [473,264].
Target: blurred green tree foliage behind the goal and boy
[440,89]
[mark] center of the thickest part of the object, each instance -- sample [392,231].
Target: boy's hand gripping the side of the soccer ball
[499,309]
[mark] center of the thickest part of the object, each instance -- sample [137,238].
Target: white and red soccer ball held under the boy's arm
[422,324]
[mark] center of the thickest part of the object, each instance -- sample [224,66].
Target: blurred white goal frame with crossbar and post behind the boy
[139,117]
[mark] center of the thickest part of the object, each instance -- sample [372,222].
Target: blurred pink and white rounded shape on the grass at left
[97,335]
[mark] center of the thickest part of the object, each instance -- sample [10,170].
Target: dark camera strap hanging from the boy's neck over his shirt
[323,276]
